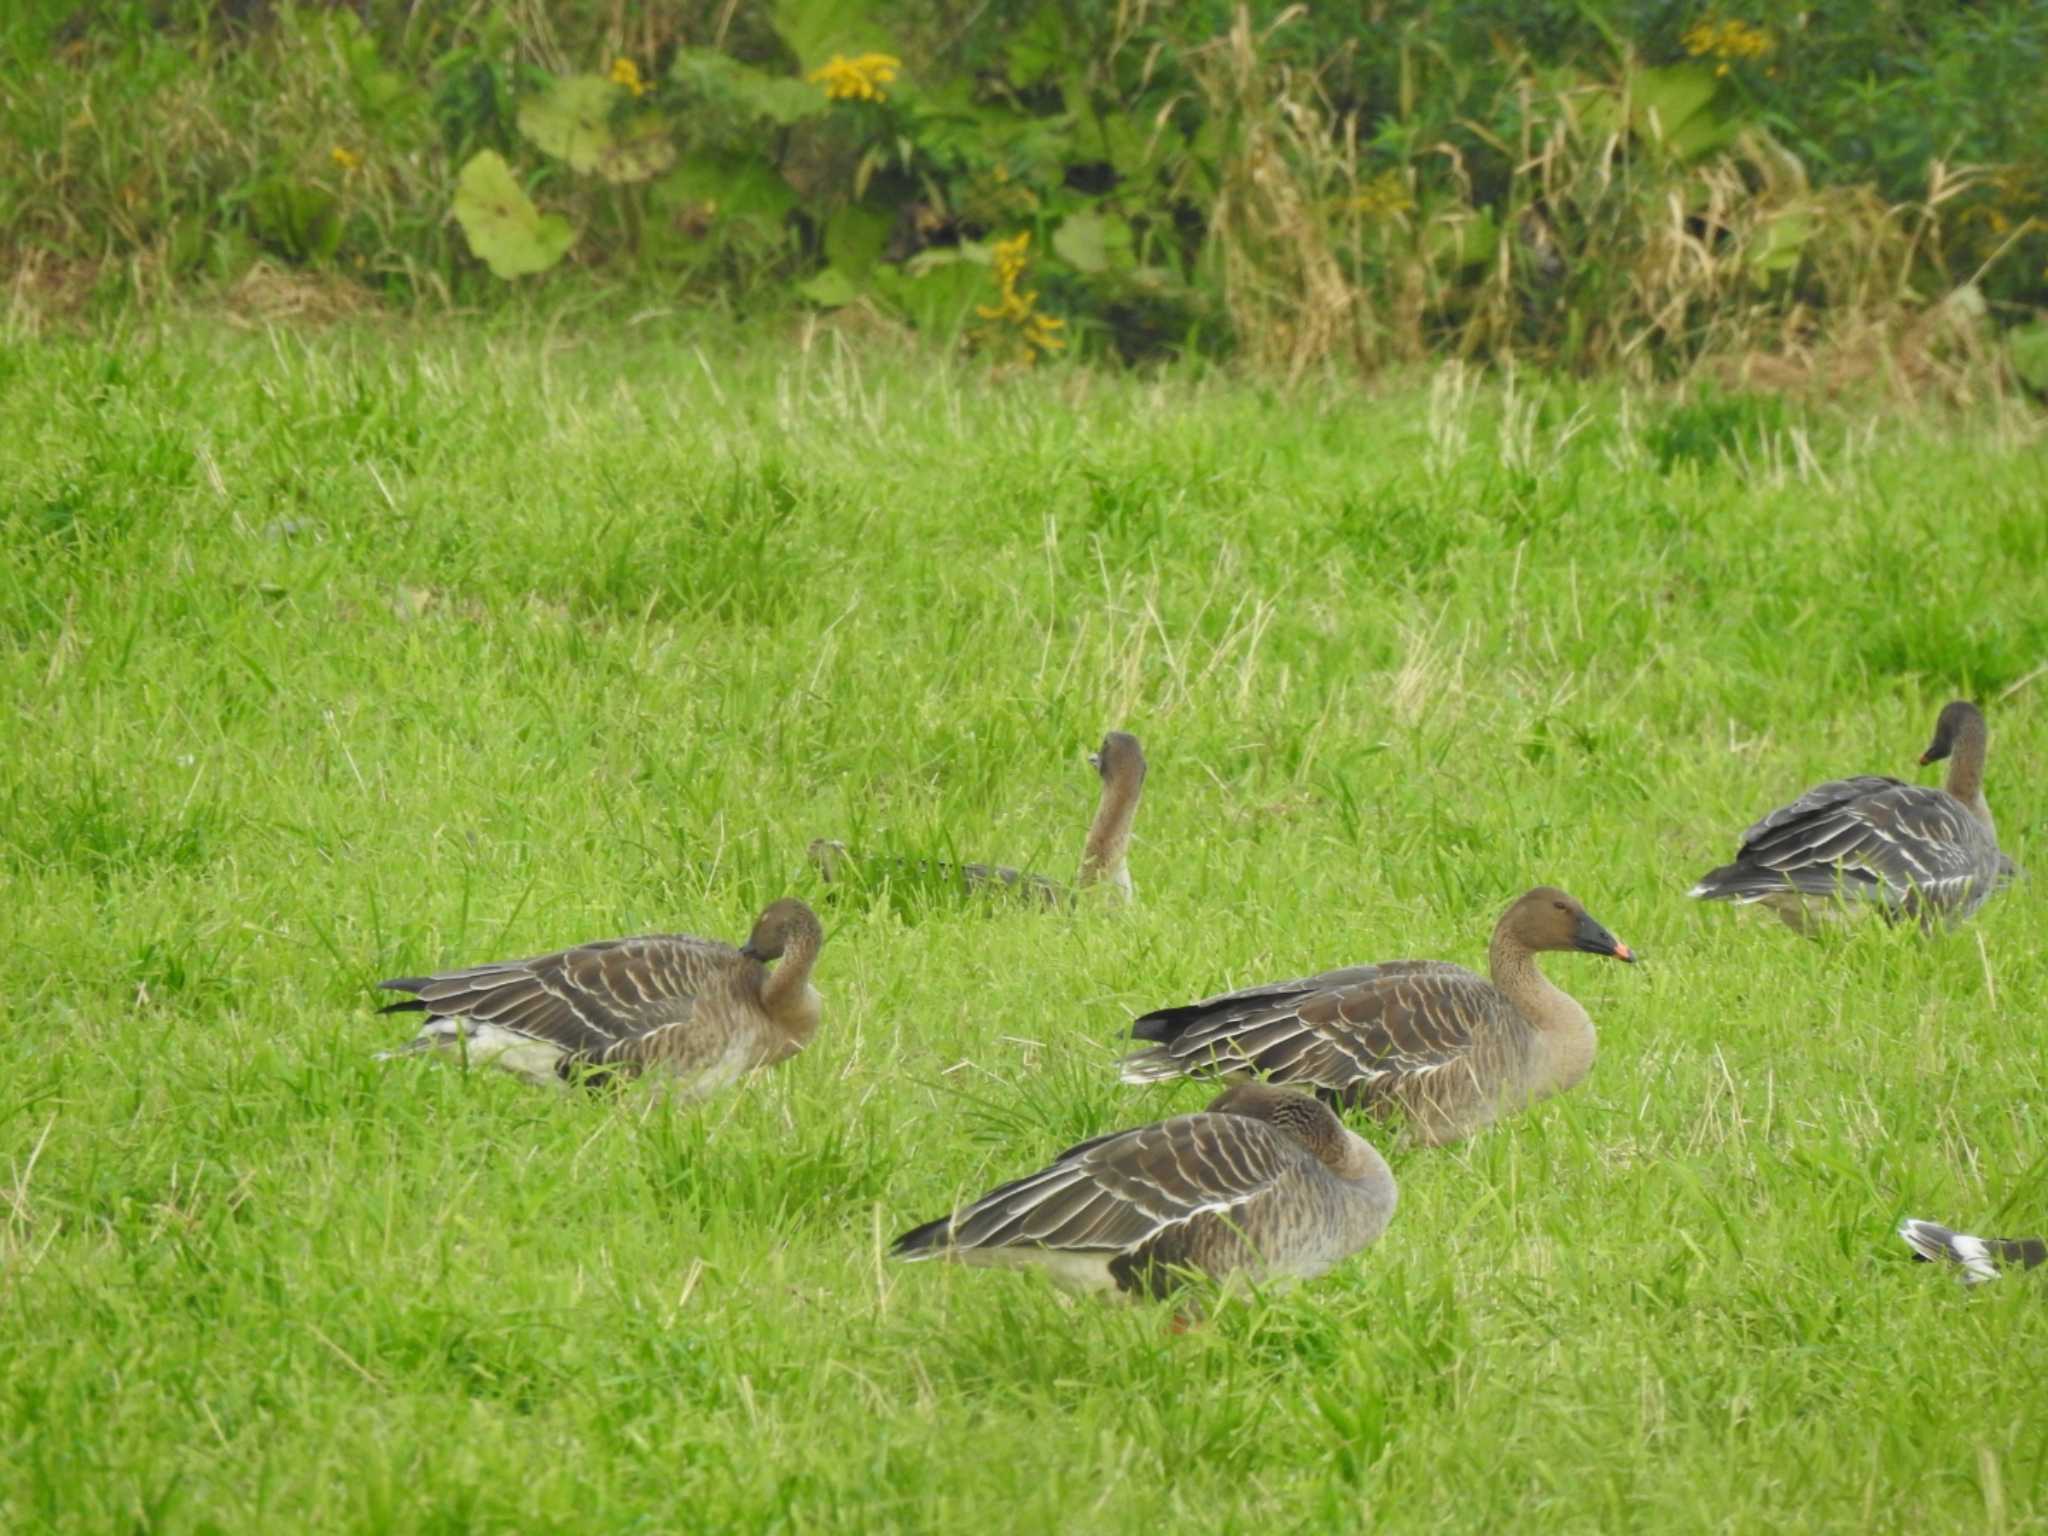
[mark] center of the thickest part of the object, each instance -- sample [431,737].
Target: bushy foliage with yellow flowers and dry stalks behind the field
[1592,185]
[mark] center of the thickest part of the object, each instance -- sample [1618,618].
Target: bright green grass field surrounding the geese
[361,654]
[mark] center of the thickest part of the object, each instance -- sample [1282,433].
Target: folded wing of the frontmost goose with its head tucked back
[1121,1191]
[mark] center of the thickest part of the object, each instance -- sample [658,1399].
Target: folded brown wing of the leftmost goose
[591,1000]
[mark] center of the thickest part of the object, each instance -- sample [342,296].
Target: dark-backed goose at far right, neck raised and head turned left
[1910,851]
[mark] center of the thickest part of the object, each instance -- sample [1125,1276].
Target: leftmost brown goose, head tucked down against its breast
[669,1005]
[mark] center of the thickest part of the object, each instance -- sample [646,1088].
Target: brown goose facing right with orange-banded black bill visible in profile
[1433,1041]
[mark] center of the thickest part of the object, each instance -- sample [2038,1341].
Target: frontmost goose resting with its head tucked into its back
[1265,1183]
